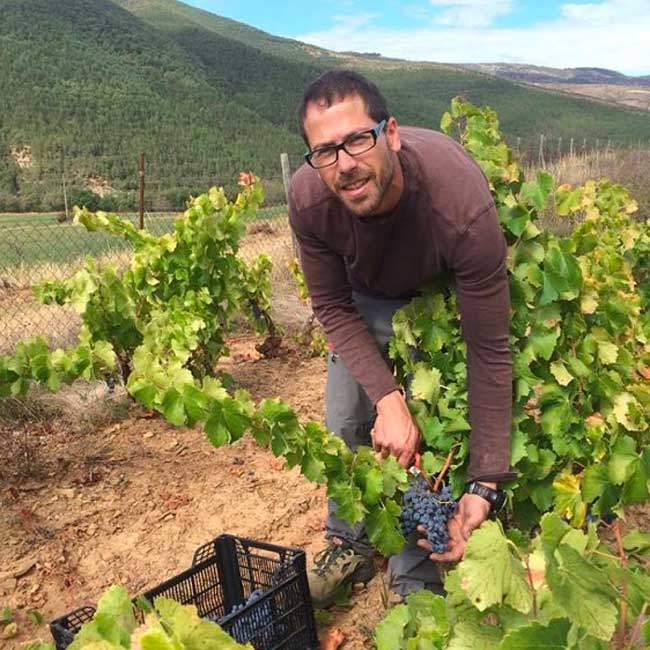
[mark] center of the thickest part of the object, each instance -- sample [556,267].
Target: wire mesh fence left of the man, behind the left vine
[36,248]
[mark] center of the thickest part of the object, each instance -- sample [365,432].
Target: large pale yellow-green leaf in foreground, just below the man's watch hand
[490,574]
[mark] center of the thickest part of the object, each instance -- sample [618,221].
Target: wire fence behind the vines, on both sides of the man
[39,247]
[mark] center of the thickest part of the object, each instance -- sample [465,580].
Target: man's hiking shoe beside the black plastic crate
[336,567]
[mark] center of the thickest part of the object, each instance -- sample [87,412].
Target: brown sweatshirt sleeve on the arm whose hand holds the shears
[331,298]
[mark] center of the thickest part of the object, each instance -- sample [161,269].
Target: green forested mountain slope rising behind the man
[85,85]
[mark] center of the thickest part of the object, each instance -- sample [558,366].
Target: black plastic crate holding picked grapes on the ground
[224,574]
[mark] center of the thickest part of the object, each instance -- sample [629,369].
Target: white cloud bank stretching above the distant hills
[609,34]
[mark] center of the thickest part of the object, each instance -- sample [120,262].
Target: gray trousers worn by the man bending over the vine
[350,415]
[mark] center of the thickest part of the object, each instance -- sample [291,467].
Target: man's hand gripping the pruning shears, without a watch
[395,432]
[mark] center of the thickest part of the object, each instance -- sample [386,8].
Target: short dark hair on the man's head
[336,85]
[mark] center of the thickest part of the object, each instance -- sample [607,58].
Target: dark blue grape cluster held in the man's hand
[431,509]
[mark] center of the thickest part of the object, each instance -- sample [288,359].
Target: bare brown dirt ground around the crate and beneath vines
[129,502]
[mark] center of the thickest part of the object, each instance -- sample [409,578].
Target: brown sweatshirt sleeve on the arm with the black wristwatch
[478,261]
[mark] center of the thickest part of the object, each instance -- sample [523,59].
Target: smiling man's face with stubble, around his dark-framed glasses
[369,183]
